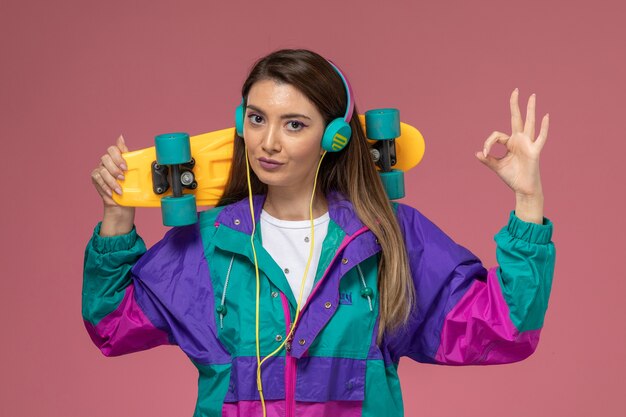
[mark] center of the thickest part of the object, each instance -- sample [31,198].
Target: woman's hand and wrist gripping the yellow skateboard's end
[117,219]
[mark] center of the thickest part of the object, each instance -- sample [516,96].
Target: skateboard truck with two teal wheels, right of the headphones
[383,126]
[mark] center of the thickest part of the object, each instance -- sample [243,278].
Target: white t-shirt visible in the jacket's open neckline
[288,242]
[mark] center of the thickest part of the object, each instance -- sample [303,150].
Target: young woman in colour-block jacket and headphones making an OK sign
[299,293]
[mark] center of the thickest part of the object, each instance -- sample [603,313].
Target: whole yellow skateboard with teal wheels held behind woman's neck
[201,165]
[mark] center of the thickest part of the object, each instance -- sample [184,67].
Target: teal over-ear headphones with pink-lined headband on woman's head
[337,133]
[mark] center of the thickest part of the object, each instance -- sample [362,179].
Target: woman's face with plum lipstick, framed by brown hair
[283,132]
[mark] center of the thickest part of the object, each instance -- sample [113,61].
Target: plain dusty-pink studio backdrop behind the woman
[75,74]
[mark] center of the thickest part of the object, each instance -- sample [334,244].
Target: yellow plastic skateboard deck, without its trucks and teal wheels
[212,153]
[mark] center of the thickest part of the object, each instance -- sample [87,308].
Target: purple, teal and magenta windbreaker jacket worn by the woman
[174,293]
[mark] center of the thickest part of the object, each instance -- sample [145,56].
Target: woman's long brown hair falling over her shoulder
[350,172]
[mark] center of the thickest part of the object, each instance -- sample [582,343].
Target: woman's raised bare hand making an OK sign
[519,168]
